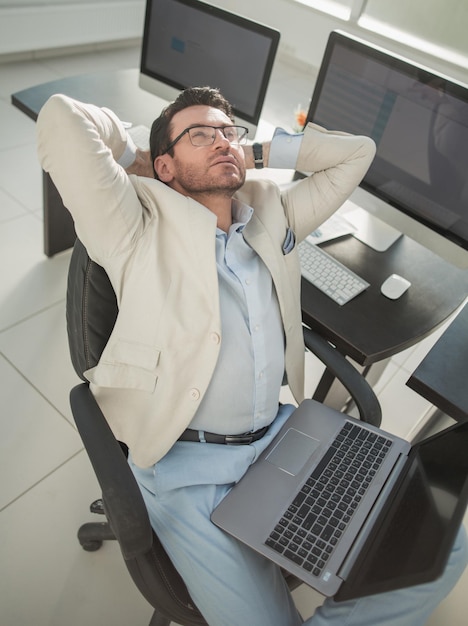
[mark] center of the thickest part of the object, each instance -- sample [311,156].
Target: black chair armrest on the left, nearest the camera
[123,502]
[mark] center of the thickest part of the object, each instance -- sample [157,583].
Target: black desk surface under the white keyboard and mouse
[371,327]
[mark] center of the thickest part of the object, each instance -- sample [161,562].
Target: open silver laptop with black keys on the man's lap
[349,508]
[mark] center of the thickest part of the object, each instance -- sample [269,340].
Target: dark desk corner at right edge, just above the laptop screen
[441,377]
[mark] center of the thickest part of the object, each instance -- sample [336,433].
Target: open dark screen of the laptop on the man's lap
[420,522]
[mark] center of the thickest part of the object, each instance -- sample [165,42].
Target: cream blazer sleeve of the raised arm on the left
[79,145]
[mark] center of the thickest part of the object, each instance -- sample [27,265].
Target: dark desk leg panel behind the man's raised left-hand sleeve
[59,231]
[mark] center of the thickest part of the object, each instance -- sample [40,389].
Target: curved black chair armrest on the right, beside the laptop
[361,392]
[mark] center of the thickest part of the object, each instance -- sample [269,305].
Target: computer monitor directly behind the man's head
[187,43]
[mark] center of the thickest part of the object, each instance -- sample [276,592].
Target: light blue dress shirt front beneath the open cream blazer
[244,391]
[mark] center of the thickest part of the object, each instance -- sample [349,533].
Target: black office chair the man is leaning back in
[91,314]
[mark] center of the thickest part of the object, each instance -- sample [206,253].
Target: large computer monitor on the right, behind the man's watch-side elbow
[418,181]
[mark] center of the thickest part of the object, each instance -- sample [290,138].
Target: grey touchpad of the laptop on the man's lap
[292,451]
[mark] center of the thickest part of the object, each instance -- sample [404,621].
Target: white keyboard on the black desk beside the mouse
[329,275]
